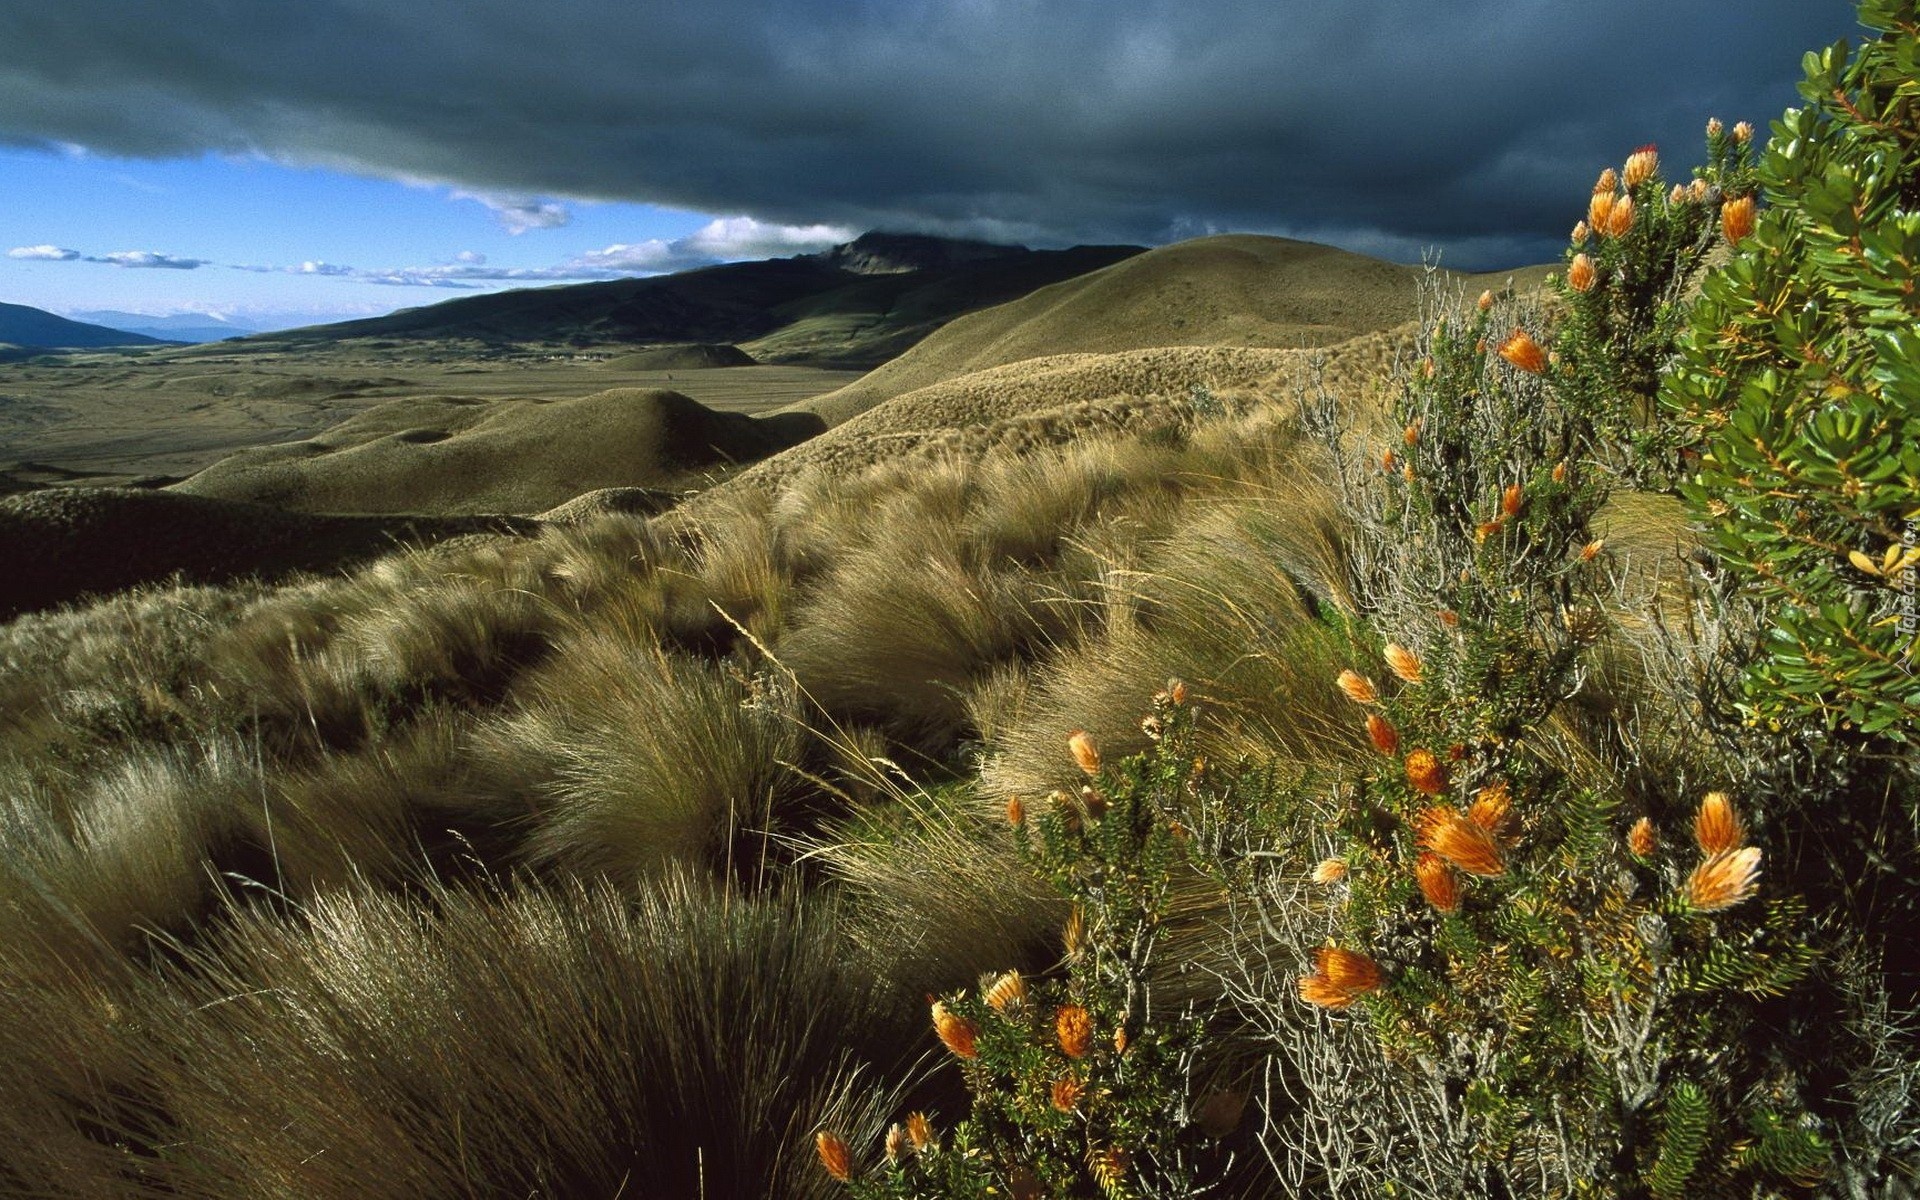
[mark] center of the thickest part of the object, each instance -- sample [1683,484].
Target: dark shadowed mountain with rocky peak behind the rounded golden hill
[853,306]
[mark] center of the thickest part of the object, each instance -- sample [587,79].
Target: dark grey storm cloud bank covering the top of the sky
[1387,126]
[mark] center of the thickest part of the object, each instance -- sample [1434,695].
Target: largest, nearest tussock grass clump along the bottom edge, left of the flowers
[550,1042]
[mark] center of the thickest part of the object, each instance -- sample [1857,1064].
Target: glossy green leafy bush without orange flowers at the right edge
[1800,379]
